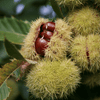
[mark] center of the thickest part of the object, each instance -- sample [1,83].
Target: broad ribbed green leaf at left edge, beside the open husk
[14,30]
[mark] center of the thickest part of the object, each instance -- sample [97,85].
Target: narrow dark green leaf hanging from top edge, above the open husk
[56,8]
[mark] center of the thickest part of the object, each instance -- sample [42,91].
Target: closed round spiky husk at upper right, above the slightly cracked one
[85,21]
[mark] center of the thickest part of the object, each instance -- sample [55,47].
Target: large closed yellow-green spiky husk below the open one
[53,79]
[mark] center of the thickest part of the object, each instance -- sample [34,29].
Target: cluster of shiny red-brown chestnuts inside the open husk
[45,32]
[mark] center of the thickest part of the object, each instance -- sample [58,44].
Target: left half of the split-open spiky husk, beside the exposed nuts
[28,49]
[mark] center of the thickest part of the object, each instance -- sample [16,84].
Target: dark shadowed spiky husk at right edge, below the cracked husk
[92,80]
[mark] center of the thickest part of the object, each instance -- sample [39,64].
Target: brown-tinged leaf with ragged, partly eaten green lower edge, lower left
[6,71]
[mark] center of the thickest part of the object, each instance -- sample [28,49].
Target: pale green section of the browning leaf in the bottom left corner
[4,91]
